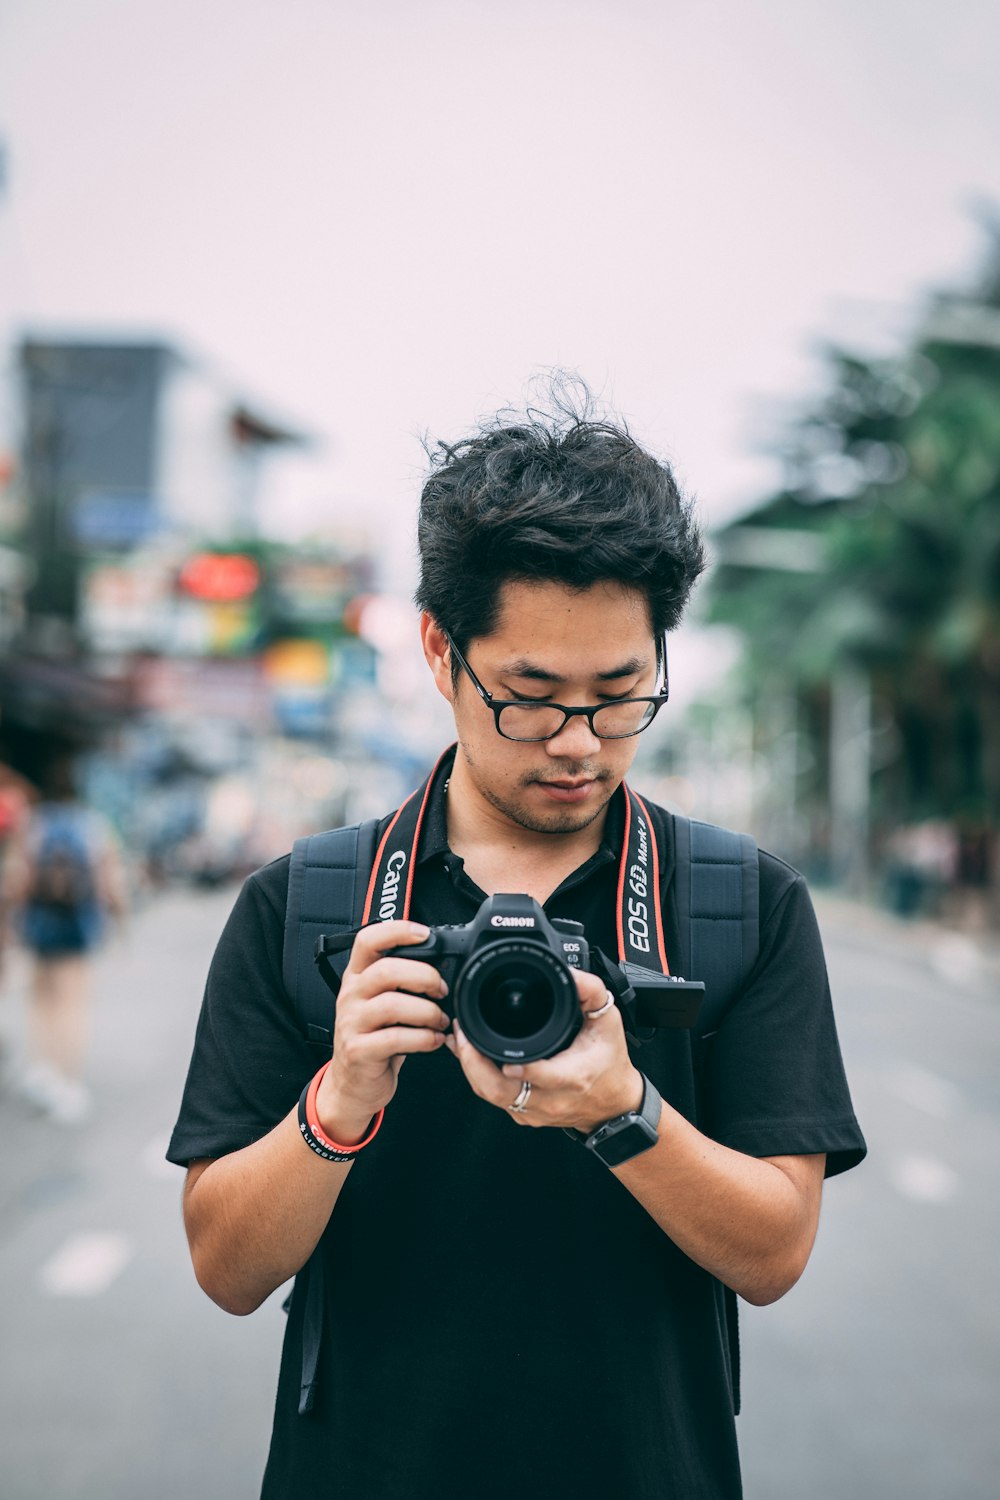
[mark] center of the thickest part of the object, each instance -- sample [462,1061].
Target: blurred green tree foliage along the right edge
[899,476]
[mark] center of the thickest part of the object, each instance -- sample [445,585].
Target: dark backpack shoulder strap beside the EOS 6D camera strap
[717,889]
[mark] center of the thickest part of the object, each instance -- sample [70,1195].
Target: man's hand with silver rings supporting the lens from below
[587,1084]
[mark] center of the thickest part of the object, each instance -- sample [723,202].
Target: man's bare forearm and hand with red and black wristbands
[256,1216]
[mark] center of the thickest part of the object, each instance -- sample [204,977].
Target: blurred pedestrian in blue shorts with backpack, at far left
[62,881]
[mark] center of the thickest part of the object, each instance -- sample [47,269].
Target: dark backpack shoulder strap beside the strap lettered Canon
[328,883]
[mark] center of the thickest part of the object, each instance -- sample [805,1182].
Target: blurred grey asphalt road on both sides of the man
[878,1376]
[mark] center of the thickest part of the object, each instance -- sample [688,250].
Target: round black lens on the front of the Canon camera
[516,1001]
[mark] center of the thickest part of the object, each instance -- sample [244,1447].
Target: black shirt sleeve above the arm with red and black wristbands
[250,1061]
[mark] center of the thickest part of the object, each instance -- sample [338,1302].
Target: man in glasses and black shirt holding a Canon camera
[491,1310]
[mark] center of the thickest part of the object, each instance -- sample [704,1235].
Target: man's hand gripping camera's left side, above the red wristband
[386,1010]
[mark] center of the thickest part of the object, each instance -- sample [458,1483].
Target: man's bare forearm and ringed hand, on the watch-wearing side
[749,1222]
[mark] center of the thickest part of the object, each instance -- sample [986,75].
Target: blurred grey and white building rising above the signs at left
[128,445]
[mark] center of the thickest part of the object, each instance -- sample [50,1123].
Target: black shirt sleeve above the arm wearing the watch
[774,1076]
